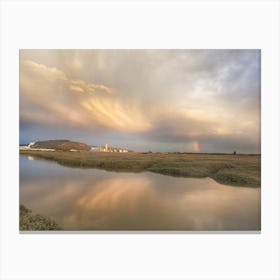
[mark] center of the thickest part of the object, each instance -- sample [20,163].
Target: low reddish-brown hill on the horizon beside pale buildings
[61,145]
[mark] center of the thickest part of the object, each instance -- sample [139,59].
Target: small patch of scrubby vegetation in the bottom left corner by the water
[29,221]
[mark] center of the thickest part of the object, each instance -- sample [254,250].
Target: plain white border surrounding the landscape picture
[157,24]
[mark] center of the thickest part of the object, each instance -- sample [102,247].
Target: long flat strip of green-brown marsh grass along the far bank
[231,169]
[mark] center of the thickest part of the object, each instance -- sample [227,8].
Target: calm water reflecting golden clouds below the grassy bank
[91,199]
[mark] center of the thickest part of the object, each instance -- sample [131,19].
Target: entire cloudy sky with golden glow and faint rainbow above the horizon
[143,100]
